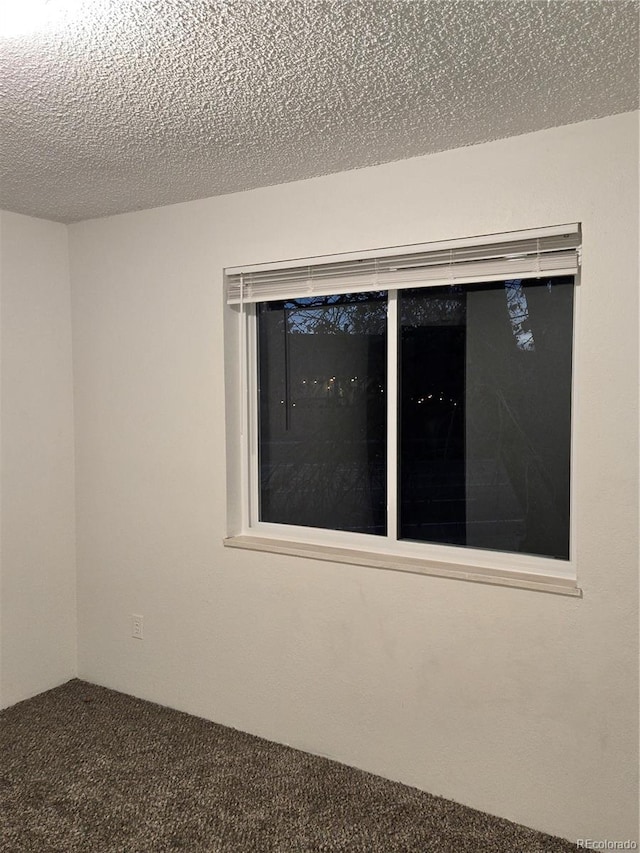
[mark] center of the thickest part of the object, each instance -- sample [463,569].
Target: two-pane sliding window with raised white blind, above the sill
[415,403]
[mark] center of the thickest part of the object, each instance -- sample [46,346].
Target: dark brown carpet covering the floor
[87,769]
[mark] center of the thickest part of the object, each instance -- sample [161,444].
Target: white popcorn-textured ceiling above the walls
[117,105]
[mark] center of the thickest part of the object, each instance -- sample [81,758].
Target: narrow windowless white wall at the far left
[37,530]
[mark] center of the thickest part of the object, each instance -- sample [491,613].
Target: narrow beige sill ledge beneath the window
[398,563]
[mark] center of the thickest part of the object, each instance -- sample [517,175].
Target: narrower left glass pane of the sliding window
[322,412]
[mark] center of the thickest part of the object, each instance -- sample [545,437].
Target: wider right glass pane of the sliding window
[485,415]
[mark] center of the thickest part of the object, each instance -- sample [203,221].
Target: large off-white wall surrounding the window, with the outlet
[520,703]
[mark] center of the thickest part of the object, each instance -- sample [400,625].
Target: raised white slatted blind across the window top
[497,257]
